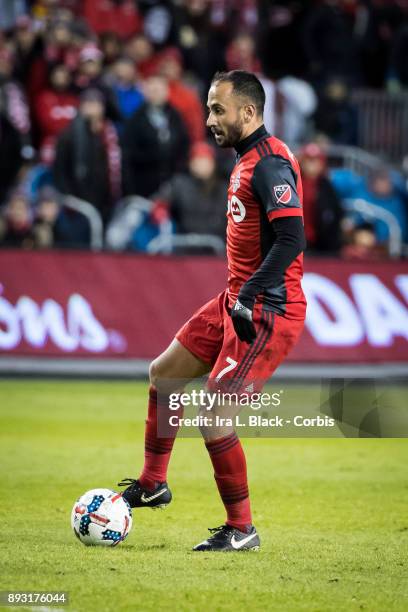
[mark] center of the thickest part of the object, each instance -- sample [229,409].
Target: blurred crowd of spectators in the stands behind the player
[102,103]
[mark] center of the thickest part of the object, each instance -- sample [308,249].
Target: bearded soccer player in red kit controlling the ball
[246,331]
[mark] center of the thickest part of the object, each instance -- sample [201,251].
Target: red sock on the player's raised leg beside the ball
[157,450]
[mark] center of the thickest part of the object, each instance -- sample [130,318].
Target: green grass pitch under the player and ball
[332,514]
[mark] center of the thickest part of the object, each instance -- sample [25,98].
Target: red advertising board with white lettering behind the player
[127,306]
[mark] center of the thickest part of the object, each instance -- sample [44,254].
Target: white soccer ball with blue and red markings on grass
[101,517]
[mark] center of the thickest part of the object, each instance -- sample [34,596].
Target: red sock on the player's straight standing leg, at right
[230,473]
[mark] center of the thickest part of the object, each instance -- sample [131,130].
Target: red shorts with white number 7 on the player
[210,336]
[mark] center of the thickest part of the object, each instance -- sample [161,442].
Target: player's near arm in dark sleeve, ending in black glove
[274,184]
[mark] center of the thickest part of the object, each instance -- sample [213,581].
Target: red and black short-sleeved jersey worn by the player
[265,184]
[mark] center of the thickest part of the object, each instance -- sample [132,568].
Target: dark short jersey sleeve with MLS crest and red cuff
[274,185]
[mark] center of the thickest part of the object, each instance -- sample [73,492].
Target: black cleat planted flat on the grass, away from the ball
[230,539]
